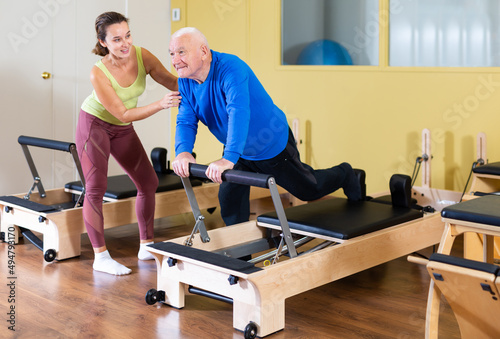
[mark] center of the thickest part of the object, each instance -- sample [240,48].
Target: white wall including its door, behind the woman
[57,36]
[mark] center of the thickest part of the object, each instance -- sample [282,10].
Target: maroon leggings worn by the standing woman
[95,141]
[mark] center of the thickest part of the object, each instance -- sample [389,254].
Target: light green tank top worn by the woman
[128,95]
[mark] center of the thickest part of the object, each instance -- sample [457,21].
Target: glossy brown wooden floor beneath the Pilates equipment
[67,299]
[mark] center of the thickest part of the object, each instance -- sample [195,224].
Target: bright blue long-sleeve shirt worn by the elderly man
[235,107]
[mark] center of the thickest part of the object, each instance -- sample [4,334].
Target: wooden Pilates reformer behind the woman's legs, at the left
[56,213]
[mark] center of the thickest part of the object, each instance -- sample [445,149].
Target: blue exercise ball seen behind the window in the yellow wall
[324,52]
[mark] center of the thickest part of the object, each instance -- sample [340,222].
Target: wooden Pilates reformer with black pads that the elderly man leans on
[294,250]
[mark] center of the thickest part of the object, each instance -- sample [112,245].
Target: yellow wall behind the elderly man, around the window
[370,116]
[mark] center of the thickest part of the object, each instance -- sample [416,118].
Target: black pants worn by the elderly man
[299,179]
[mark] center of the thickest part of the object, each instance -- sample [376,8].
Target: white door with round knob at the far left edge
[26,97]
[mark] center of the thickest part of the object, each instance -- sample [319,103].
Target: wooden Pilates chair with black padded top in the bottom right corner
[470,287]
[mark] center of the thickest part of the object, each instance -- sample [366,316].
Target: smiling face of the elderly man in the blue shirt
[187,57]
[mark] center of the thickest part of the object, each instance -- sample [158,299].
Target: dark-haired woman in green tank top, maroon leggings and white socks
[105,127]
